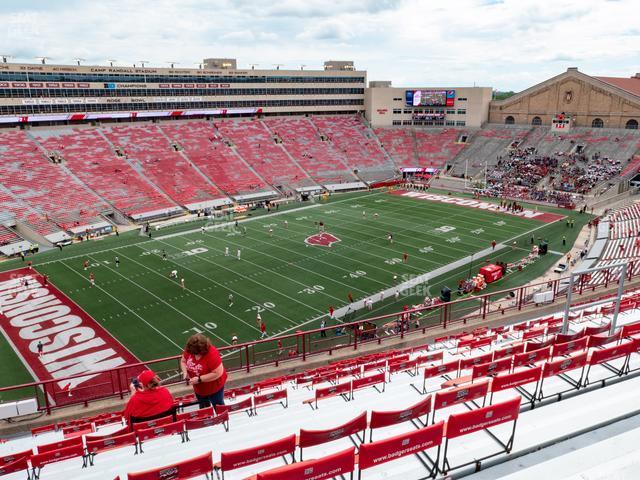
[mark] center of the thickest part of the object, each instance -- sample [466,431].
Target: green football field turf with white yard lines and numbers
[290,283]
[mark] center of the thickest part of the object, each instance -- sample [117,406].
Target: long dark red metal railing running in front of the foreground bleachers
[302,345]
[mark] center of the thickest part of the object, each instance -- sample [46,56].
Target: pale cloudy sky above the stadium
[505,44]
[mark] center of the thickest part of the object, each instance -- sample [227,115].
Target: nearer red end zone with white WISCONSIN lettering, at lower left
[73,342]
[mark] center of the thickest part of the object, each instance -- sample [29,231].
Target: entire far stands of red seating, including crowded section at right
[152,170]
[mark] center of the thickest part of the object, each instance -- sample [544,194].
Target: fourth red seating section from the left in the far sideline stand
[216,159]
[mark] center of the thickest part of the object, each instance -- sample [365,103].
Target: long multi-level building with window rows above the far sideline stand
[55,93]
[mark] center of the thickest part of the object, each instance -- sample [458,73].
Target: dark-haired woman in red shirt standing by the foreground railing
[202,368]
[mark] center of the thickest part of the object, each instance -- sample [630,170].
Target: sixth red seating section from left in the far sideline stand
[318,157]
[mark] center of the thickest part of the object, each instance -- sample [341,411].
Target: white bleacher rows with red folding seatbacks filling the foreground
[420,411]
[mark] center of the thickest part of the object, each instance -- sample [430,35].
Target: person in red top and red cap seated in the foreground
[148,398]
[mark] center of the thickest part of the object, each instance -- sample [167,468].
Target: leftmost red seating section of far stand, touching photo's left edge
[56,201]
